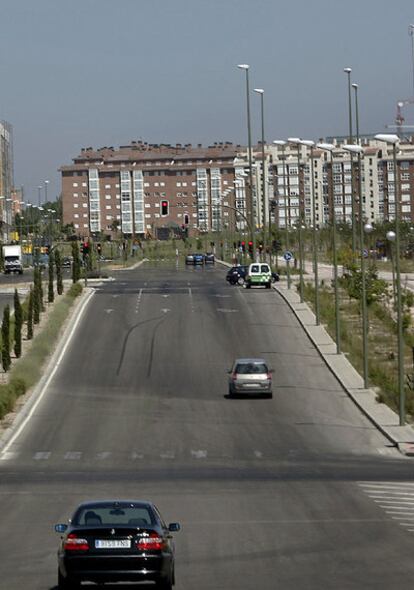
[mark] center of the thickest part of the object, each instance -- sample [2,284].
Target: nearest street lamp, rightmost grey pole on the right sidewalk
[393,140]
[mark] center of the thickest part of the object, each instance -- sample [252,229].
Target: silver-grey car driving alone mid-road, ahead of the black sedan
[250,375]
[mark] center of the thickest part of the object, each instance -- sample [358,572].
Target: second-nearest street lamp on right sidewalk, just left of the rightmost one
[357,149]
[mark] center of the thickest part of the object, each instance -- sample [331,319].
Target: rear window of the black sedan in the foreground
[110,514]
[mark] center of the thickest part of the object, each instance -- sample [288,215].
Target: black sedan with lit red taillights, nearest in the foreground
[116,541]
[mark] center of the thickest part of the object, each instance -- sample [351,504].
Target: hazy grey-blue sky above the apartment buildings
[80,73]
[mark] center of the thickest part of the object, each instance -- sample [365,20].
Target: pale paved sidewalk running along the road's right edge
[380,415]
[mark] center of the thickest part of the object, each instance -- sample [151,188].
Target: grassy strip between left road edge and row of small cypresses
[27,370]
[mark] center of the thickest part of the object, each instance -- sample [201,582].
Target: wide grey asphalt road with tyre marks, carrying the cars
[298,492]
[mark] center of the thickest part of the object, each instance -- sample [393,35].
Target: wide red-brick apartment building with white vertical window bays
[139,187]
